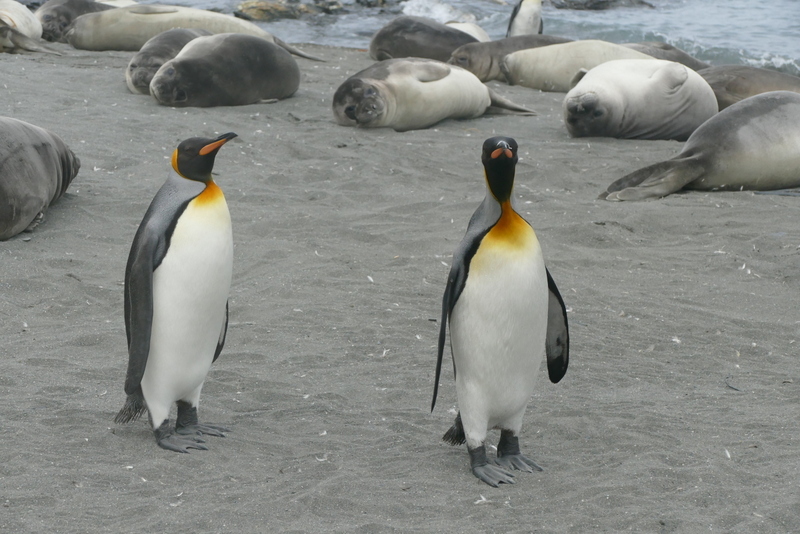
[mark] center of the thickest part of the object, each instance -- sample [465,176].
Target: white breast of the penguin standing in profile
[190,292]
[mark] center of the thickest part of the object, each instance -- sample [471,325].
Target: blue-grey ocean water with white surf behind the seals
[764,34]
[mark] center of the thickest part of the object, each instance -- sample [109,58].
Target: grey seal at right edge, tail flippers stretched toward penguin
[754,144]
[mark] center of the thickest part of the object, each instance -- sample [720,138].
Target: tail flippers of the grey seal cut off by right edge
[655,181]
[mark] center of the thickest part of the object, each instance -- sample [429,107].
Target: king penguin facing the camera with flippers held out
[505,313]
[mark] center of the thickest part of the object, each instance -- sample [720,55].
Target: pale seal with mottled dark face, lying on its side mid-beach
[413,93]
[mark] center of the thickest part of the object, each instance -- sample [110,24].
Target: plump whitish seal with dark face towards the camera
[638,99]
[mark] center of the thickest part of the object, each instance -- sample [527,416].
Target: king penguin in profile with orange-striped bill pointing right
[177,283]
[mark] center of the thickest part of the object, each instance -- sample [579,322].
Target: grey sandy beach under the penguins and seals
[678,413]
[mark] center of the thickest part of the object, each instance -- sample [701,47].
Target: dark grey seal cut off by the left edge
[37,169]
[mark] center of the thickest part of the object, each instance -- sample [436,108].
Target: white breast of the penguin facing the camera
[499,323]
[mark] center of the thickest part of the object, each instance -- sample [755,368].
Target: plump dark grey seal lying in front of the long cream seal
[226,69]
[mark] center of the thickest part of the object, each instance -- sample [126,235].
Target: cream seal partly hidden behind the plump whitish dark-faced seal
[551,68]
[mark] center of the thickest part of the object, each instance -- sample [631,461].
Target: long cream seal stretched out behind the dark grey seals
[129,28]
